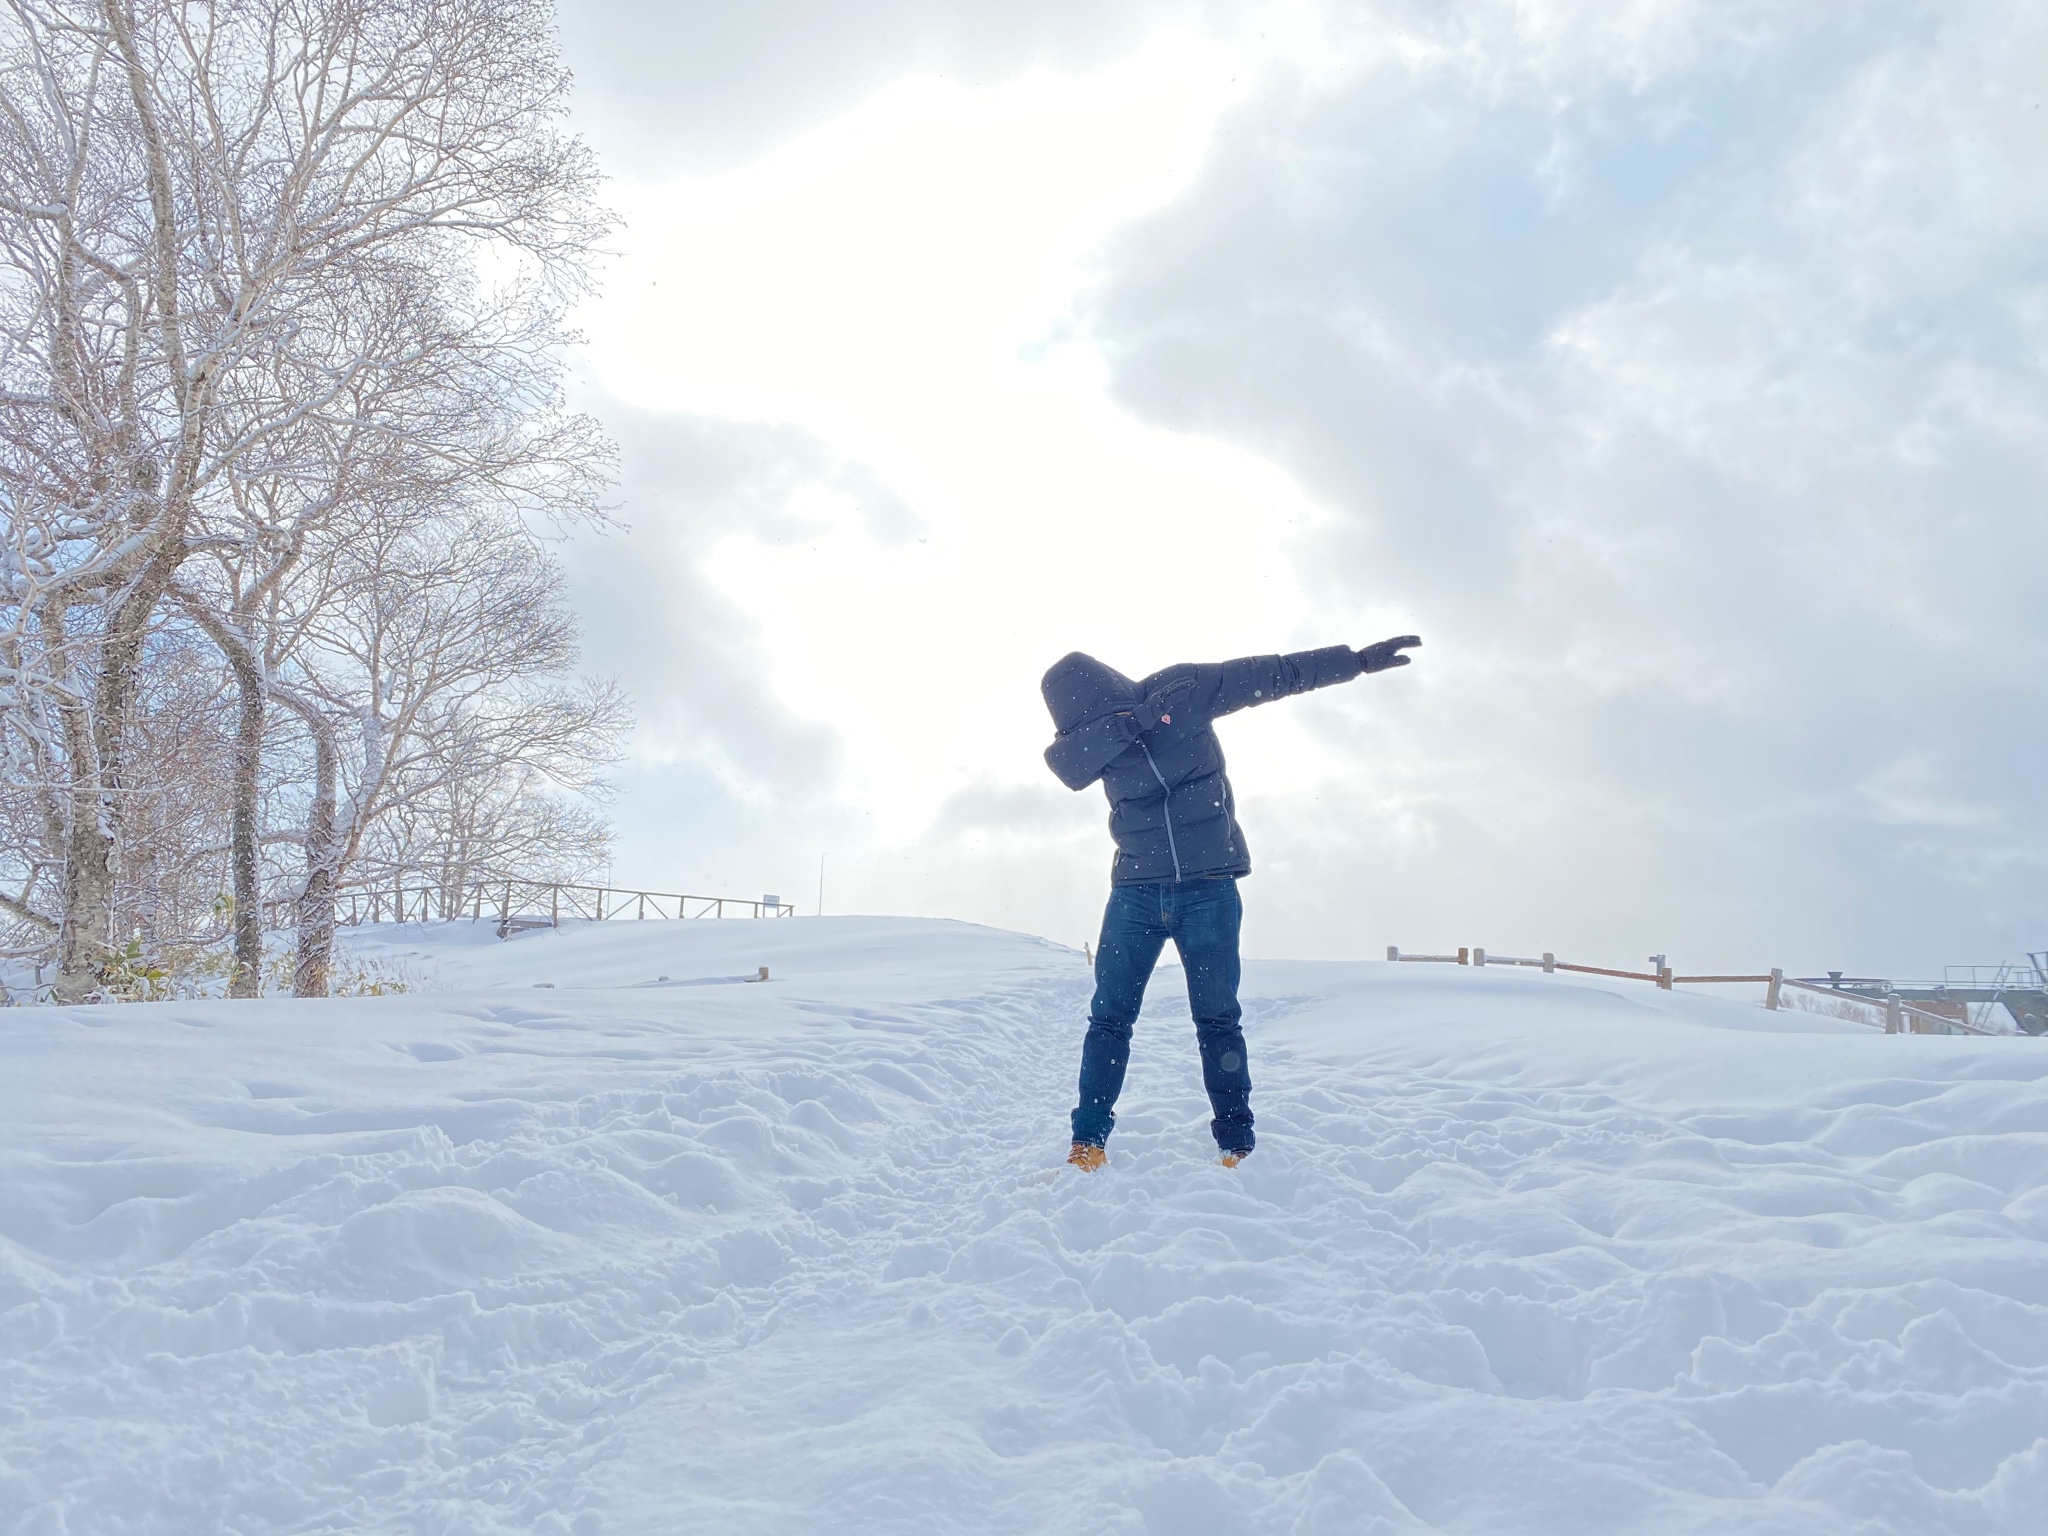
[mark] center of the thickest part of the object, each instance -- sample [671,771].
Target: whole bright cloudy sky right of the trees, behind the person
[1674,370]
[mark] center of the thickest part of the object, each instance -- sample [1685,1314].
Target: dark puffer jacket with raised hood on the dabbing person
[1152,746]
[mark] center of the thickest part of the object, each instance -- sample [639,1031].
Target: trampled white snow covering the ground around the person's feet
[652,1250]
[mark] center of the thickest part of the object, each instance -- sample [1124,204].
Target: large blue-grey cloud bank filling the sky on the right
[1691,404]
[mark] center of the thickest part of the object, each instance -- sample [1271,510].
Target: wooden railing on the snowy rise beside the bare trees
[523,904]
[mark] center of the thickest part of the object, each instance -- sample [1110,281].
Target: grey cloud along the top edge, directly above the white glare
[695,87]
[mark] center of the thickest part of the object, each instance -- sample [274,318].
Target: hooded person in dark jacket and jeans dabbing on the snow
[1179,855]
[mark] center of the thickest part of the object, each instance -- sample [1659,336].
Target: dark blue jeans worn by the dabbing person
[1201,919]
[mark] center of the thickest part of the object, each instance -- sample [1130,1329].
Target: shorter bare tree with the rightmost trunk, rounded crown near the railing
[431,679]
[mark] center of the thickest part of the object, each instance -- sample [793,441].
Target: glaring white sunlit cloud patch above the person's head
[900,286]
